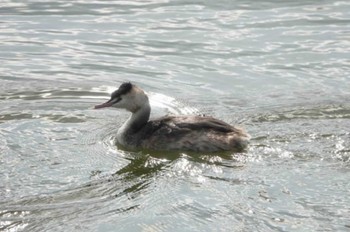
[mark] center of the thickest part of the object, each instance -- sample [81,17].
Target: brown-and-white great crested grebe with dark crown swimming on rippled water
[171,133]
